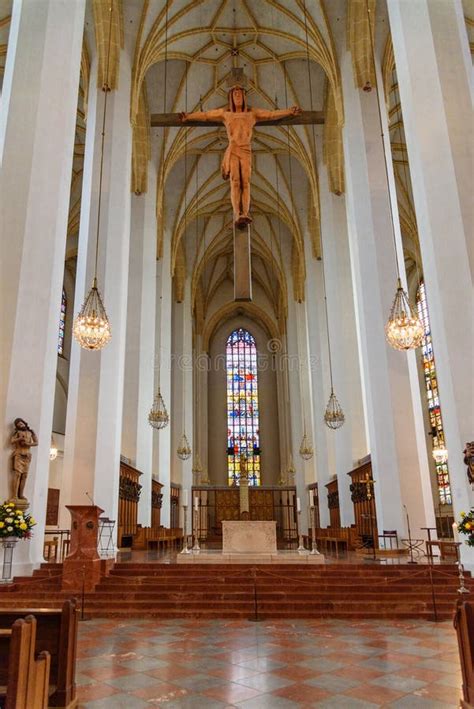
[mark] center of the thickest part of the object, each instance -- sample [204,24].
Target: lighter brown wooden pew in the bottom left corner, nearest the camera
[27,682]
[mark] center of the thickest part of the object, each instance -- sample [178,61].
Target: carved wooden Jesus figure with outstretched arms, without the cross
[239,121]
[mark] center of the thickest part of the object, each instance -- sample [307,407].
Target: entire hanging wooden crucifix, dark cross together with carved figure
[239,120]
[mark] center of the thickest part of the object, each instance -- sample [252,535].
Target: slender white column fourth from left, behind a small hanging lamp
[162,438]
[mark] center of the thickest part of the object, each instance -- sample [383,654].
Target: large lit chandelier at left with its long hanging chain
[91,326]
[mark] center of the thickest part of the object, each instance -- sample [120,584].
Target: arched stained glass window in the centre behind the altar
[243,435]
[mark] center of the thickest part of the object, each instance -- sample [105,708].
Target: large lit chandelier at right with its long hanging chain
[403,330]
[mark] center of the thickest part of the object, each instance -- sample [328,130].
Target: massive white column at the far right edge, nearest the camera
[437,117]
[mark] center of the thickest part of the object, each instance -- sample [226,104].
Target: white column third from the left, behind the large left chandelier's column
[137,434]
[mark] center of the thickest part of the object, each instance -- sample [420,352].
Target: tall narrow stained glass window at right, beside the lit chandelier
[431,383]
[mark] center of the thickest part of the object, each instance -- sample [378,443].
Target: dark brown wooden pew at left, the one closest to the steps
[56,633]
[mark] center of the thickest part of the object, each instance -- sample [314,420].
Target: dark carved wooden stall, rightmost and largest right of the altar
[362,495]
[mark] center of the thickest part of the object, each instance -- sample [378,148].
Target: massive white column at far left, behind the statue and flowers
[37,121]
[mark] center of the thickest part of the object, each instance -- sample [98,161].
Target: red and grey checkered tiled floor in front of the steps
[267,665]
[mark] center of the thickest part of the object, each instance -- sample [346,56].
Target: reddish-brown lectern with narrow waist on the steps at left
[83,565]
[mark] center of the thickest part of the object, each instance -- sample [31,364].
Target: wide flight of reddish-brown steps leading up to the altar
[223,591]
